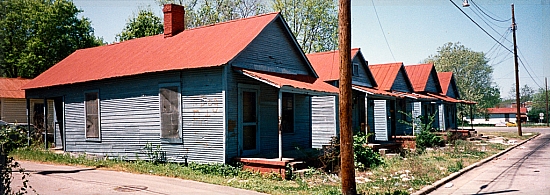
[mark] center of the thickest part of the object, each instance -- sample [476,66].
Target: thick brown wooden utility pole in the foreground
[347,169]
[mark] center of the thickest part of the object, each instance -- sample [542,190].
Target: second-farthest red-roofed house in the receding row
[425,81]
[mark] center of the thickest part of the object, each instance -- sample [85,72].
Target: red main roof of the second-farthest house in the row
[419,75]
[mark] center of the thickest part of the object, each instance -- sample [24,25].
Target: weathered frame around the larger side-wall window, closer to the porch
[180,123]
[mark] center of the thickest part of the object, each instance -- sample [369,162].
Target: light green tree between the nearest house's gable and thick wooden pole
[313,22]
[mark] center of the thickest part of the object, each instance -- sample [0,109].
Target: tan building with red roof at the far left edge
[13,107]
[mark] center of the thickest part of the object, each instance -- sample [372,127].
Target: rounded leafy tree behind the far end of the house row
[472,73]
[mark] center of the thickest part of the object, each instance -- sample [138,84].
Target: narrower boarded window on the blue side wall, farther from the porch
[92,115]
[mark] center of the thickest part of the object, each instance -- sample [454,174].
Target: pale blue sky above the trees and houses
[413,30]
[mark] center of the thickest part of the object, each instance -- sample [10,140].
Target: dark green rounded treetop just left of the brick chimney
[142,24]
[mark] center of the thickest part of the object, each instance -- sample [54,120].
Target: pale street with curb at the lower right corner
[523,170]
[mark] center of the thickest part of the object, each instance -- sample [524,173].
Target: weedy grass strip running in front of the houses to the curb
[403,174]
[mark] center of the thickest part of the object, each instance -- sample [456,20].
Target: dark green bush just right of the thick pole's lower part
[364,156]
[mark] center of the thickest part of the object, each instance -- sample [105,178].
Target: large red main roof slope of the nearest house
[206,46]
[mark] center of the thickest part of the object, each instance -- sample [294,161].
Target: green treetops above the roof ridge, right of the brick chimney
[200,13]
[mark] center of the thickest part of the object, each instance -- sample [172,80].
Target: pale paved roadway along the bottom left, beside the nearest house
[56,179]
